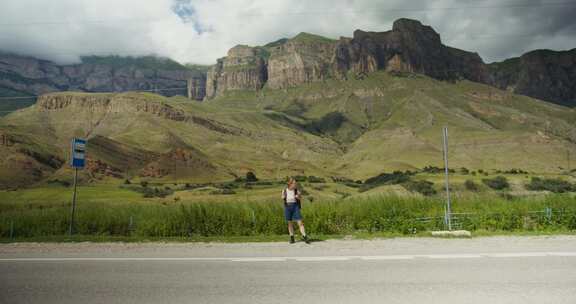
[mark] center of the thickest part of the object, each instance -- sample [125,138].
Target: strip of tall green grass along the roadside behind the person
[373,214]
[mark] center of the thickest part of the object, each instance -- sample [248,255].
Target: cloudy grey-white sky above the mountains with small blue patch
[199,31]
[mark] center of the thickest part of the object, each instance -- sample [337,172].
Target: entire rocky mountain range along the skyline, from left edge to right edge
[409,47]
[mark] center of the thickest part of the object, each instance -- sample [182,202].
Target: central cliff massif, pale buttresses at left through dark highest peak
[408,47]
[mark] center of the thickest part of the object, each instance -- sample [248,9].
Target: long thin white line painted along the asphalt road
[298,259]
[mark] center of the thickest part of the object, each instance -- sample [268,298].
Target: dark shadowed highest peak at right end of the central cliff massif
[408,47]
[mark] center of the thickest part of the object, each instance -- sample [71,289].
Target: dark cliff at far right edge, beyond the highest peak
[542,74]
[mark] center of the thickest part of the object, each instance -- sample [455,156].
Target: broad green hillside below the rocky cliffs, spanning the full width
[356,129]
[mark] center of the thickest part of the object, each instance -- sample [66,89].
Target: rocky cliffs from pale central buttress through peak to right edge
[409,47]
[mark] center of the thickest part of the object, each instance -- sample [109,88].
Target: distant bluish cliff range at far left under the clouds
[33,76]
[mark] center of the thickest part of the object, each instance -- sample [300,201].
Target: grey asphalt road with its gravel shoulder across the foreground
[480,270]
